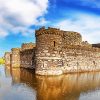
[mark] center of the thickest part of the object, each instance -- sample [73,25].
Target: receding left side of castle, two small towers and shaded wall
[21,57]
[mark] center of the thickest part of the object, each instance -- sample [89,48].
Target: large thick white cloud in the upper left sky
[20,13]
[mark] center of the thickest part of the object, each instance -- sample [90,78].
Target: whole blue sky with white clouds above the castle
[20,18]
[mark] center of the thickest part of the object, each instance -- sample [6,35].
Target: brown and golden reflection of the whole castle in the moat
[63,87]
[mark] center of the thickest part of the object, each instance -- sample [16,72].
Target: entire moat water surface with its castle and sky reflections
[22,84]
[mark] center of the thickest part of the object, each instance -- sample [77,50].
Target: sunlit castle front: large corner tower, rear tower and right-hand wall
[59,52]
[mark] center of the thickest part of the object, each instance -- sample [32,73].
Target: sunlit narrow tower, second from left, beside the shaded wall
[15,57]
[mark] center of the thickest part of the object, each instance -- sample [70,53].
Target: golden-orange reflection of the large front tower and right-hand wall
[67,87]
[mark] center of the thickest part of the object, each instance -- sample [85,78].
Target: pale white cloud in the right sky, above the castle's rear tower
[87,25]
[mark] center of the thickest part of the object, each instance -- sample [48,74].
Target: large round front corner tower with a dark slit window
[48,51]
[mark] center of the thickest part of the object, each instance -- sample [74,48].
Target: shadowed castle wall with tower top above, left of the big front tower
[27,54]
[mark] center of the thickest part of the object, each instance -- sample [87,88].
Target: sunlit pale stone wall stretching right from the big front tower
[79,59]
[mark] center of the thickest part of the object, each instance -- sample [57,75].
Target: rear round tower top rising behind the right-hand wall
[72,38]
